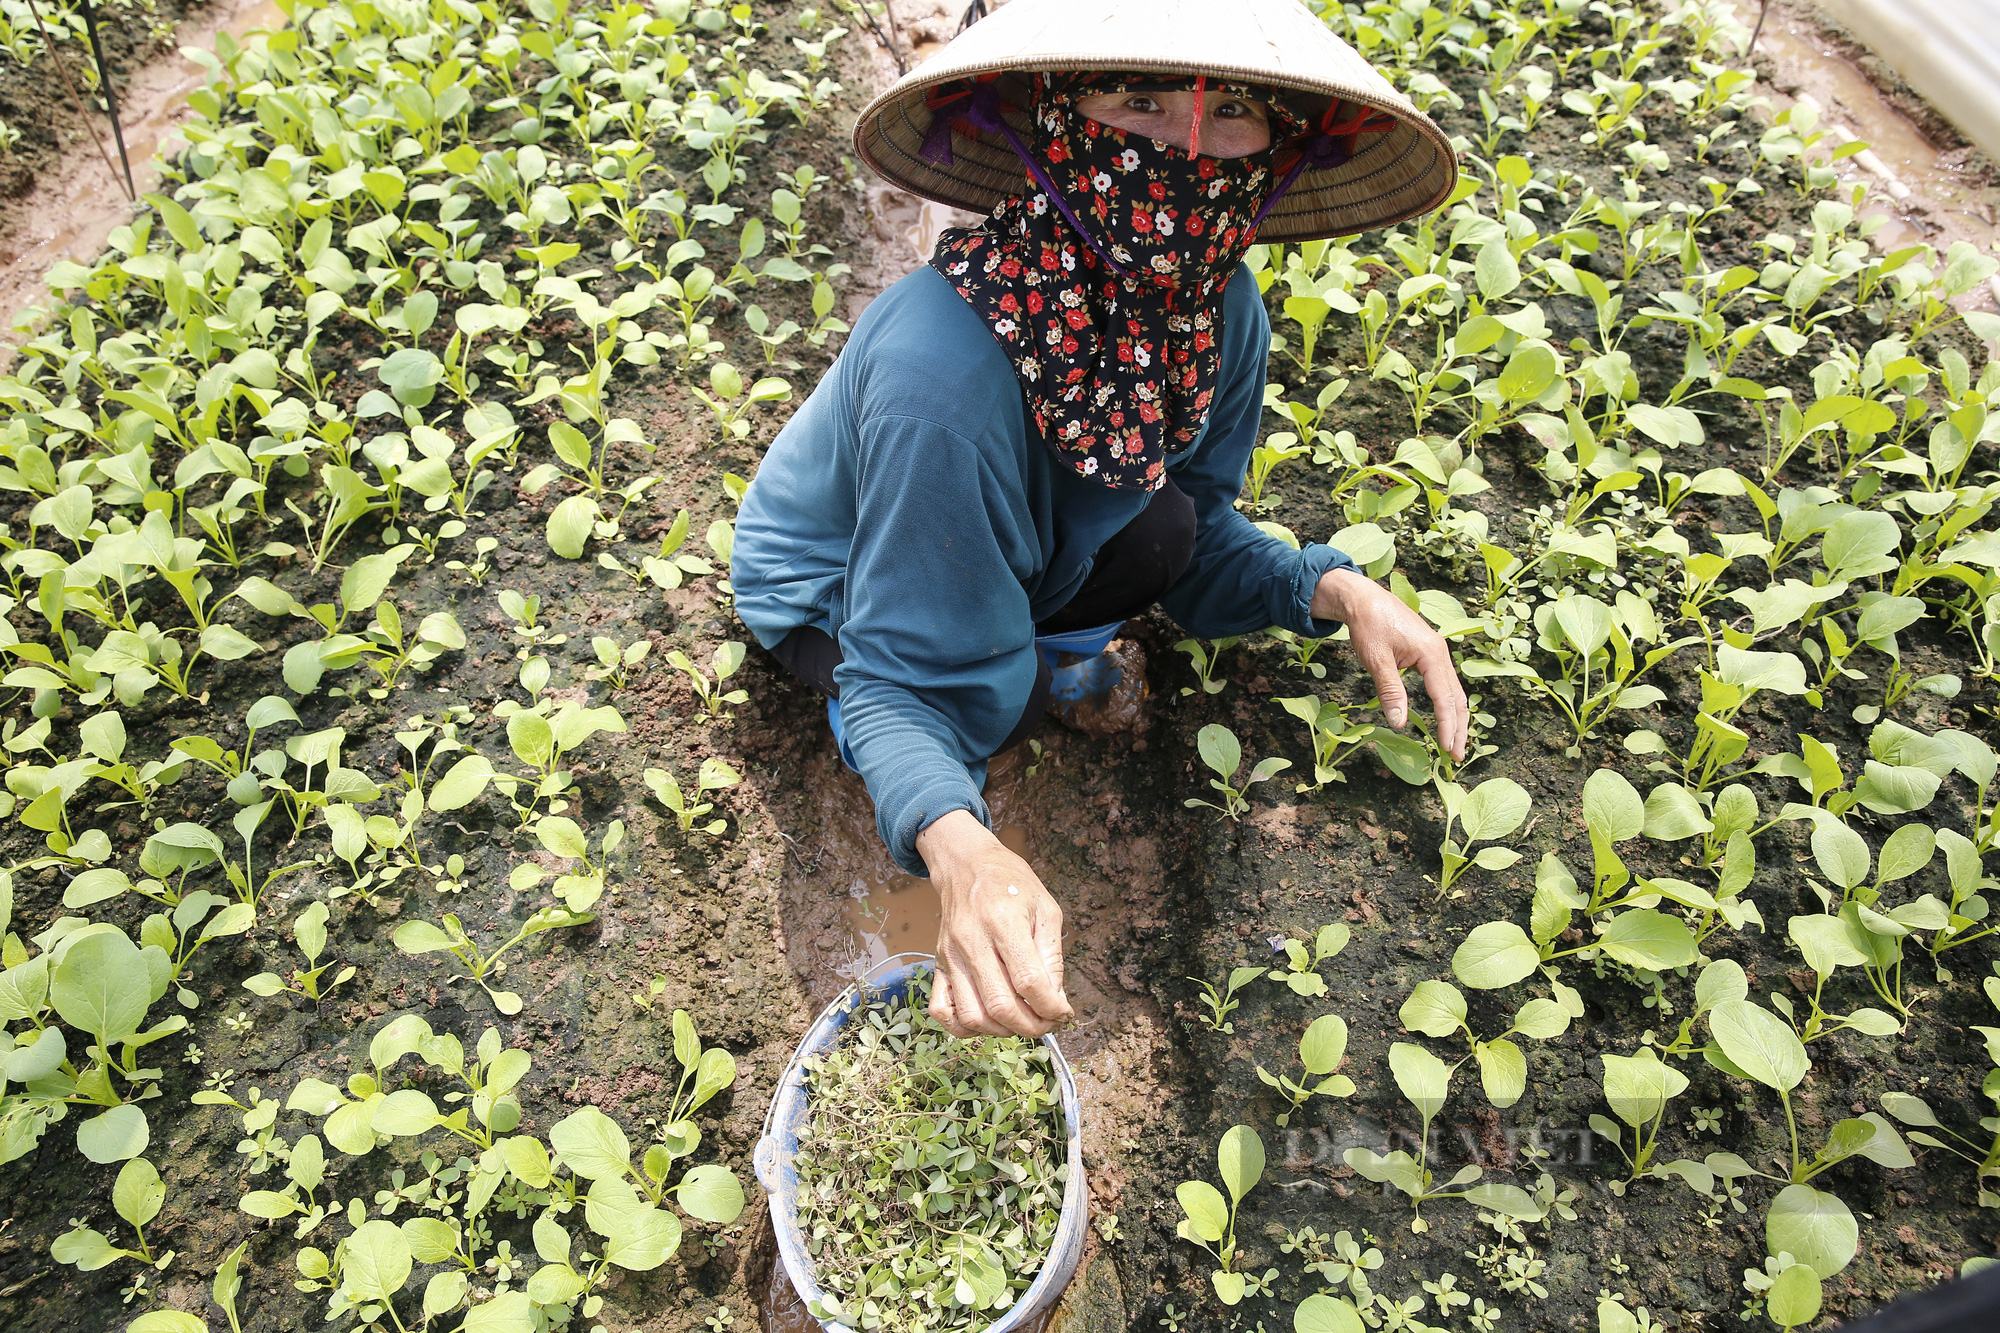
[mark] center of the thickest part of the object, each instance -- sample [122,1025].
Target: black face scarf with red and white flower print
[1103,281]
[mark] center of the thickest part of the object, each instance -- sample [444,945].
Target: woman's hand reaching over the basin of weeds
[999,940]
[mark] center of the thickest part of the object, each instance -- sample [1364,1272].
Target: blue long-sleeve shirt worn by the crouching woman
[911,511]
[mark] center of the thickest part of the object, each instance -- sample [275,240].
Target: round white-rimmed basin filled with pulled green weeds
[921,1182]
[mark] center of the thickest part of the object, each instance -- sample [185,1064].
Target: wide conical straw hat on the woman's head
[1277,43]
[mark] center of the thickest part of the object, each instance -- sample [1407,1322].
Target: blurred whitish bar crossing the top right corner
[1949,51]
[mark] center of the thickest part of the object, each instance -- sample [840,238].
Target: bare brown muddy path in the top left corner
[73,211]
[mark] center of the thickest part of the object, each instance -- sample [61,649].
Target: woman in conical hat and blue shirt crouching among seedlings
[1045,431]
